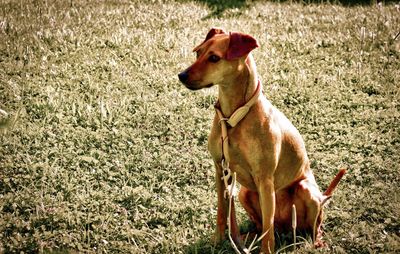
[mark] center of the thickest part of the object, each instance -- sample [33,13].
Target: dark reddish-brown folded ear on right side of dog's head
[240,45]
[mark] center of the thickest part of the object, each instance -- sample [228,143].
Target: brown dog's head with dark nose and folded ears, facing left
[219,58]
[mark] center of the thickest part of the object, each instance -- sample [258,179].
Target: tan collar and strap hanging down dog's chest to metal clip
[232,121]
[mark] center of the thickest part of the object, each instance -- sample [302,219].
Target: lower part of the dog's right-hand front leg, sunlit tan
[267,203]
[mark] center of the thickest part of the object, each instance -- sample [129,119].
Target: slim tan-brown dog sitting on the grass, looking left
[265,150]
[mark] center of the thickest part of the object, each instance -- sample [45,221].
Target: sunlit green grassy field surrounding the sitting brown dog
[103,151]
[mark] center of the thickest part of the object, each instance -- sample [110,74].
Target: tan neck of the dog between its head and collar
[235,94]
